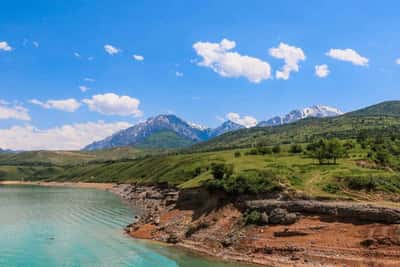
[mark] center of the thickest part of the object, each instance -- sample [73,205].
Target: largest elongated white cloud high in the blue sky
[220,59]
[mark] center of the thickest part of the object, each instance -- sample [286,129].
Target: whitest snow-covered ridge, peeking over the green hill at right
[317,111]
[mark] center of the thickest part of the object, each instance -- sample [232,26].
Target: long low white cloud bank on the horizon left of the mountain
[66,137]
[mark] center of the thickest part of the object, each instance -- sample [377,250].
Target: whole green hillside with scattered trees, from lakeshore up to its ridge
[368,166]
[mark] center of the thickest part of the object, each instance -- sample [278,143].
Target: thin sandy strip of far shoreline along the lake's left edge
[99,186]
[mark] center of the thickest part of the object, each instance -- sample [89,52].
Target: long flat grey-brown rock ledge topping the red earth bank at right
[346,210]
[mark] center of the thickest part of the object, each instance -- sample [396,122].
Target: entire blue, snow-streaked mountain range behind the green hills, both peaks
[170,131]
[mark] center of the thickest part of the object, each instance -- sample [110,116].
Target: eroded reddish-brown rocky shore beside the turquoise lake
[289,232]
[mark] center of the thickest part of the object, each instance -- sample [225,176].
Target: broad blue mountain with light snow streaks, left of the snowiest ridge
[162,131]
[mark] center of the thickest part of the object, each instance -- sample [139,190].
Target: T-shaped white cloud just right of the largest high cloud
[291,55]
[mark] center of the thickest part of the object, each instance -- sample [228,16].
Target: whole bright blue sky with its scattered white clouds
[76,71]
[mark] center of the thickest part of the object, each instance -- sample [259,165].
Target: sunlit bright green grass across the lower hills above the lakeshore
[293,171]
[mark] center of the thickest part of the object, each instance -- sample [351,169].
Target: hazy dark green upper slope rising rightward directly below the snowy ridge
[383,117]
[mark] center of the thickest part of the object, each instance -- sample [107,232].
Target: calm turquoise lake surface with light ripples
[55,226]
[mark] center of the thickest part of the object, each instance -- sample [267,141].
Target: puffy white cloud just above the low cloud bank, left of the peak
[112,104]
